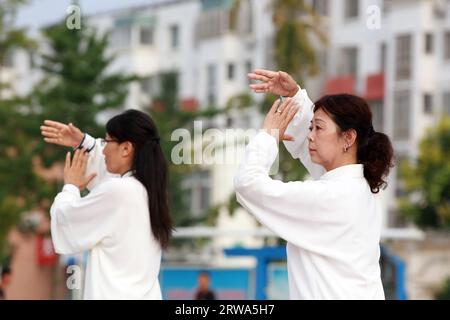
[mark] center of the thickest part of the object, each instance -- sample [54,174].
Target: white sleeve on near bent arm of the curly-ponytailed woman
[293,210]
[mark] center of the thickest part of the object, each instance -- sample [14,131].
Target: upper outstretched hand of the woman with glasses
[61,134]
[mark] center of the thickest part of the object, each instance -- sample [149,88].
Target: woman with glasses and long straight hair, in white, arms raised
[124,222]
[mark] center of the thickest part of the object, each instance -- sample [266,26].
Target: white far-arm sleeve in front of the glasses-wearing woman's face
[96,162]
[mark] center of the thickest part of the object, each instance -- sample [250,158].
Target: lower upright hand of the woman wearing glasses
[75,170]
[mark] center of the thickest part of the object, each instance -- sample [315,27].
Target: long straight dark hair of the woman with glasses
[149,166]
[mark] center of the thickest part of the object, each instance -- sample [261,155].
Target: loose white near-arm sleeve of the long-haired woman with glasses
[78,224]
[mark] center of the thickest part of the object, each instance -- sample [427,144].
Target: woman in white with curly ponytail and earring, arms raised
[332,223]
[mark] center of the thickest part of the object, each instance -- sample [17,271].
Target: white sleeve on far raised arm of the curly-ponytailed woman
[299,129]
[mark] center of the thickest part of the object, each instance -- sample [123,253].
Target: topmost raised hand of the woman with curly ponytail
[279,83]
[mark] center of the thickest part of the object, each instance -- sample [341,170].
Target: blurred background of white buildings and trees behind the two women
[187,60]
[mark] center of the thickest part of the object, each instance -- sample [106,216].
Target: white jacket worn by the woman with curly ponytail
[331,224]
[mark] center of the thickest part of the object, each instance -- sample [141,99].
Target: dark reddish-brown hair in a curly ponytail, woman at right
[374,149]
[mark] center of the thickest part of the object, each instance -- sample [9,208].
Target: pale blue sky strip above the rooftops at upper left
[43,12]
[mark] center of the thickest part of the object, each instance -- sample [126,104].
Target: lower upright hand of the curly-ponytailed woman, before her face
[279,117]
